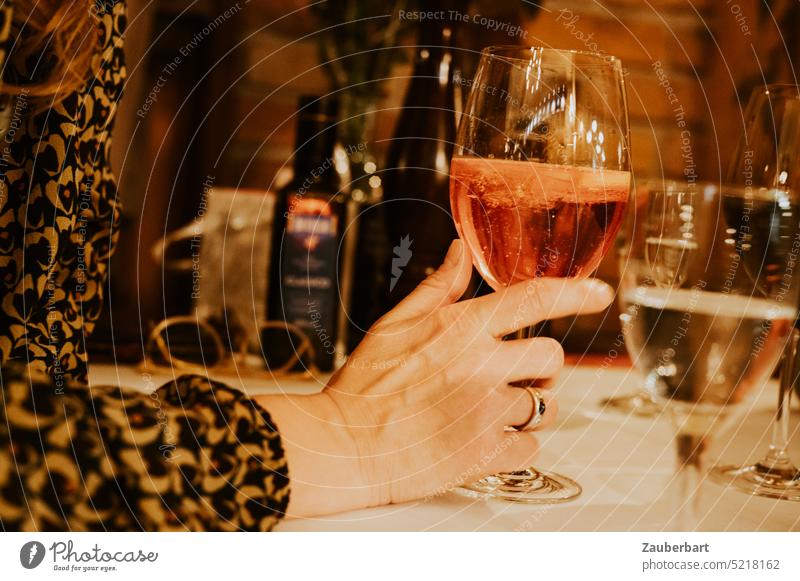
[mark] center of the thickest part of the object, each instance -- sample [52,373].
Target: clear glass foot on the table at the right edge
[781,482]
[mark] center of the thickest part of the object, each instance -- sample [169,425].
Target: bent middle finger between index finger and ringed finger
[525,359]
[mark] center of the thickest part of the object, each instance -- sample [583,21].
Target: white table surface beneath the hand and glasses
[625,464]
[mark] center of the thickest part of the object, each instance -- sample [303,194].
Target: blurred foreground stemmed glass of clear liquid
[706,307]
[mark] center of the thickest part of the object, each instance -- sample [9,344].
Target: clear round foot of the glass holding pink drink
[528,486]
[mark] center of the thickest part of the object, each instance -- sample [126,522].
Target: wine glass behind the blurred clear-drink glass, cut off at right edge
[767,158]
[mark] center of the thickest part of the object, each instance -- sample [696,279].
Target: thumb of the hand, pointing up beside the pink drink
[443,287]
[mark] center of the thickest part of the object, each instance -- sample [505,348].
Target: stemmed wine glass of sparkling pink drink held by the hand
[539,182]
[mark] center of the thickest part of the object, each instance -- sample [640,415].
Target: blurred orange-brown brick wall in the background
[281,64]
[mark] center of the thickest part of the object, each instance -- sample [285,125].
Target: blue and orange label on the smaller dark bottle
[308,272]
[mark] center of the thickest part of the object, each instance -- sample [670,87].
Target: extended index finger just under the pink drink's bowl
[530,302]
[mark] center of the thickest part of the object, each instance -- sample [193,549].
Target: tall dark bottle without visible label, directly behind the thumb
[416,183]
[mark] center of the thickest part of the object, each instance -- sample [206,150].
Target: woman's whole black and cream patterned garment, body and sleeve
[192,455]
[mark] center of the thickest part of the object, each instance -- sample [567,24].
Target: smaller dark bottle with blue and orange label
[309,219]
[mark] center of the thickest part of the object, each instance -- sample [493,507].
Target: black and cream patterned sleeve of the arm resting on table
[192,455]
